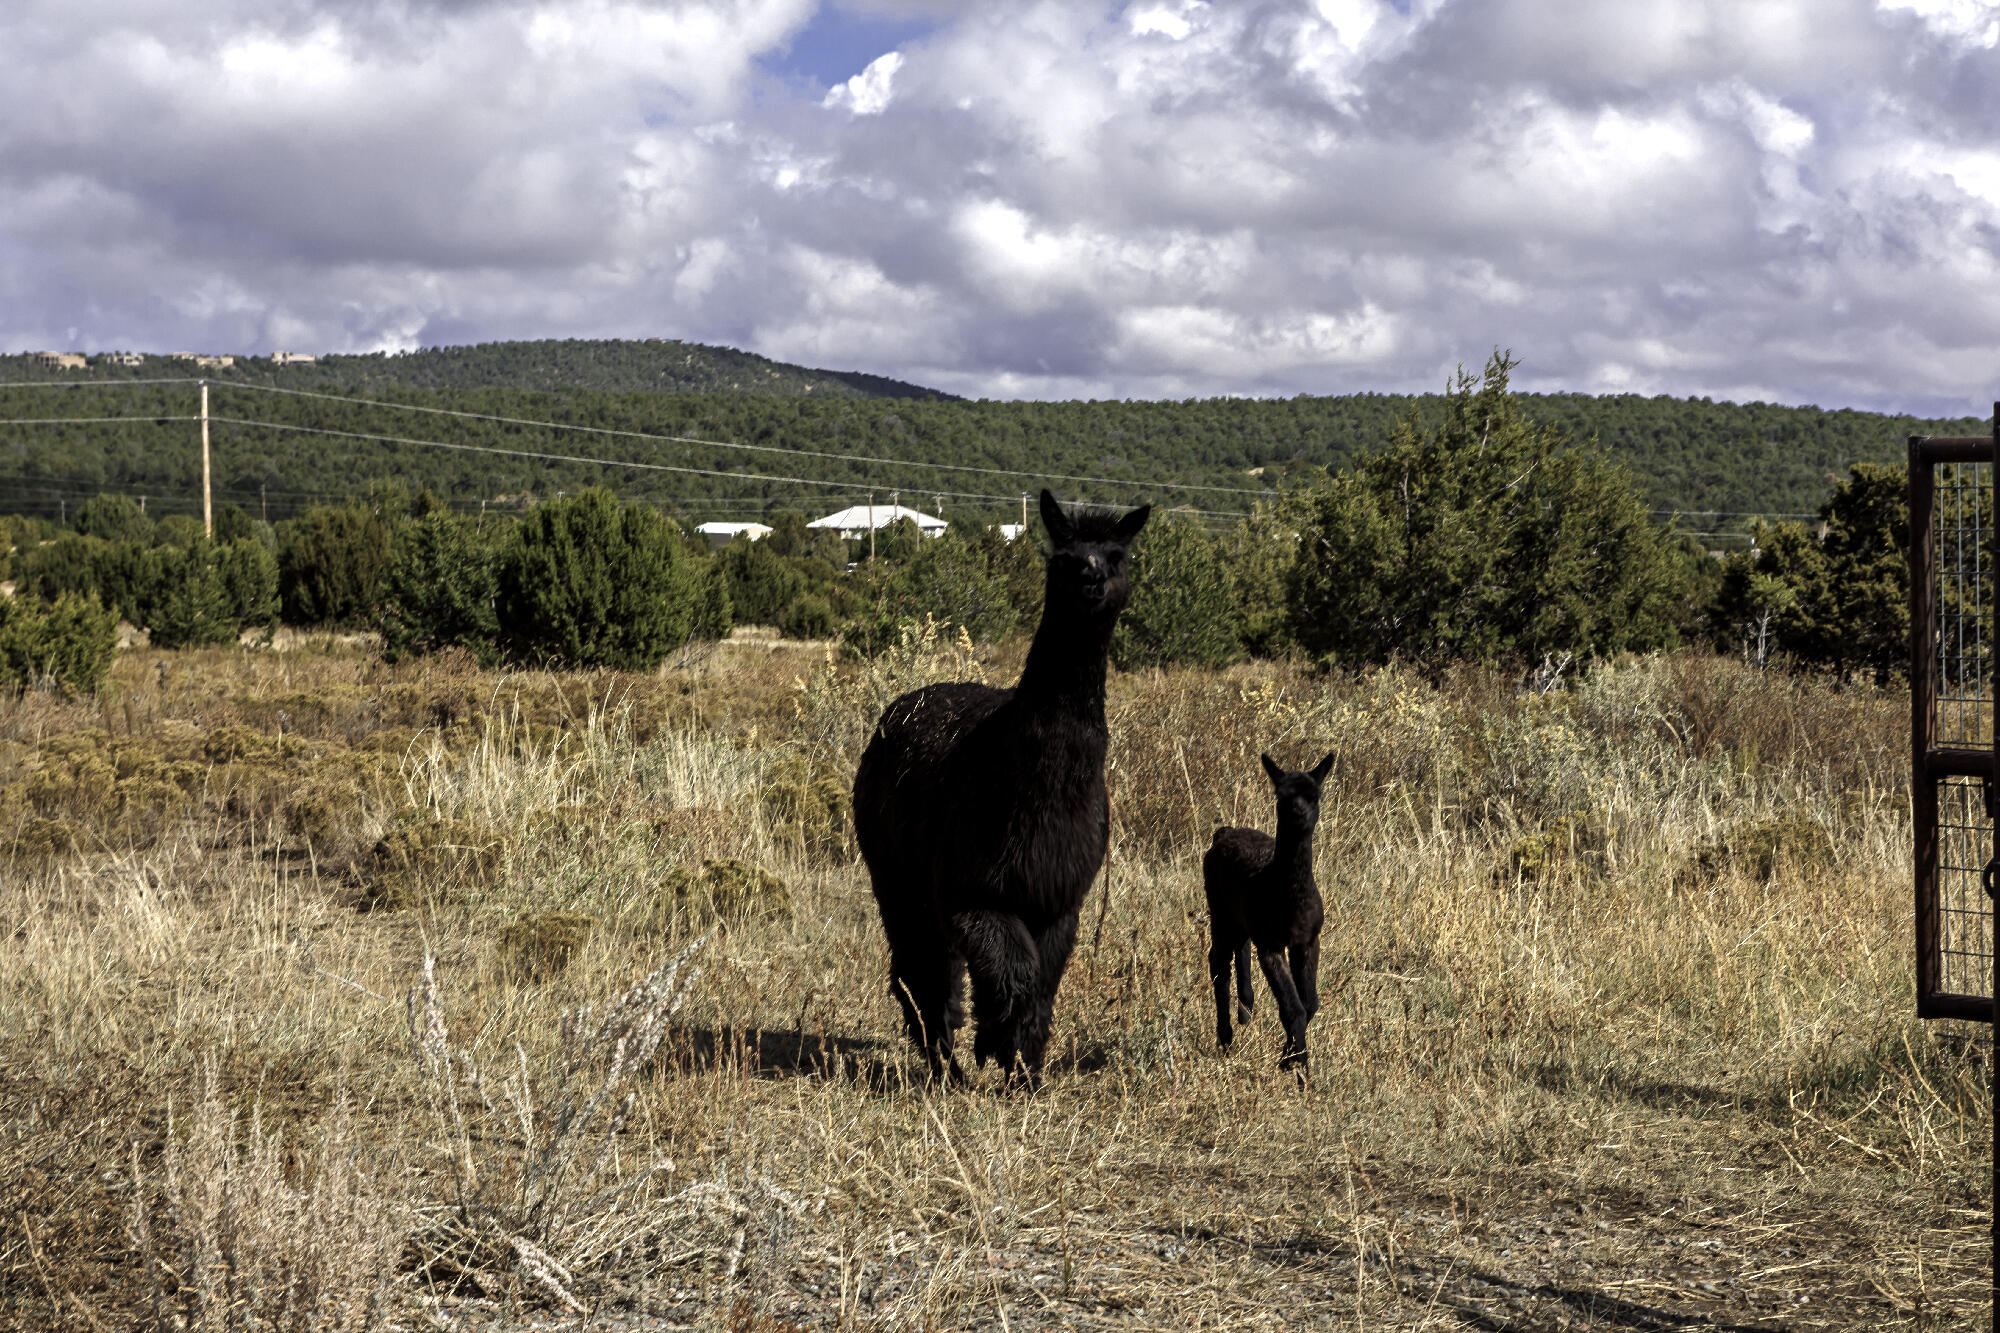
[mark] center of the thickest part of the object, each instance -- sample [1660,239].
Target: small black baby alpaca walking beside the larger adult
[1261,894]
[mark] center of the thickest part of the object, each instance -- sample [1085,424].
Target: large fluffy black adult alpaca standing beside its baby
[983,816]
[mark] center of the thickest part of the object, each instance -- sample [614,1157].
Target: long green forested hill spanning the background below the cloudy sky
[751,453]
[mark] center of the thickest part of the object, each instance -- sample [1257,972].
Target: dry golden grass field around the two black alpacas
[341,996]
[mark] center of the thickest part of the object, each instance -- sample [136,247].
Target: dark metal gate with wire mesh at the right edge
[1955,760]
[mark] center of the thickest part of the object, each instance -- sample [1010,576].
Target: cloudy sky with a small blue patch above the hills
[1787,201]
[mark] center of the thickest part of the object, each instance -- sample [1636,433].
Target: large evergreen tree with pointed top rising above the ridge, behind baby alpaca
[1483,539]
